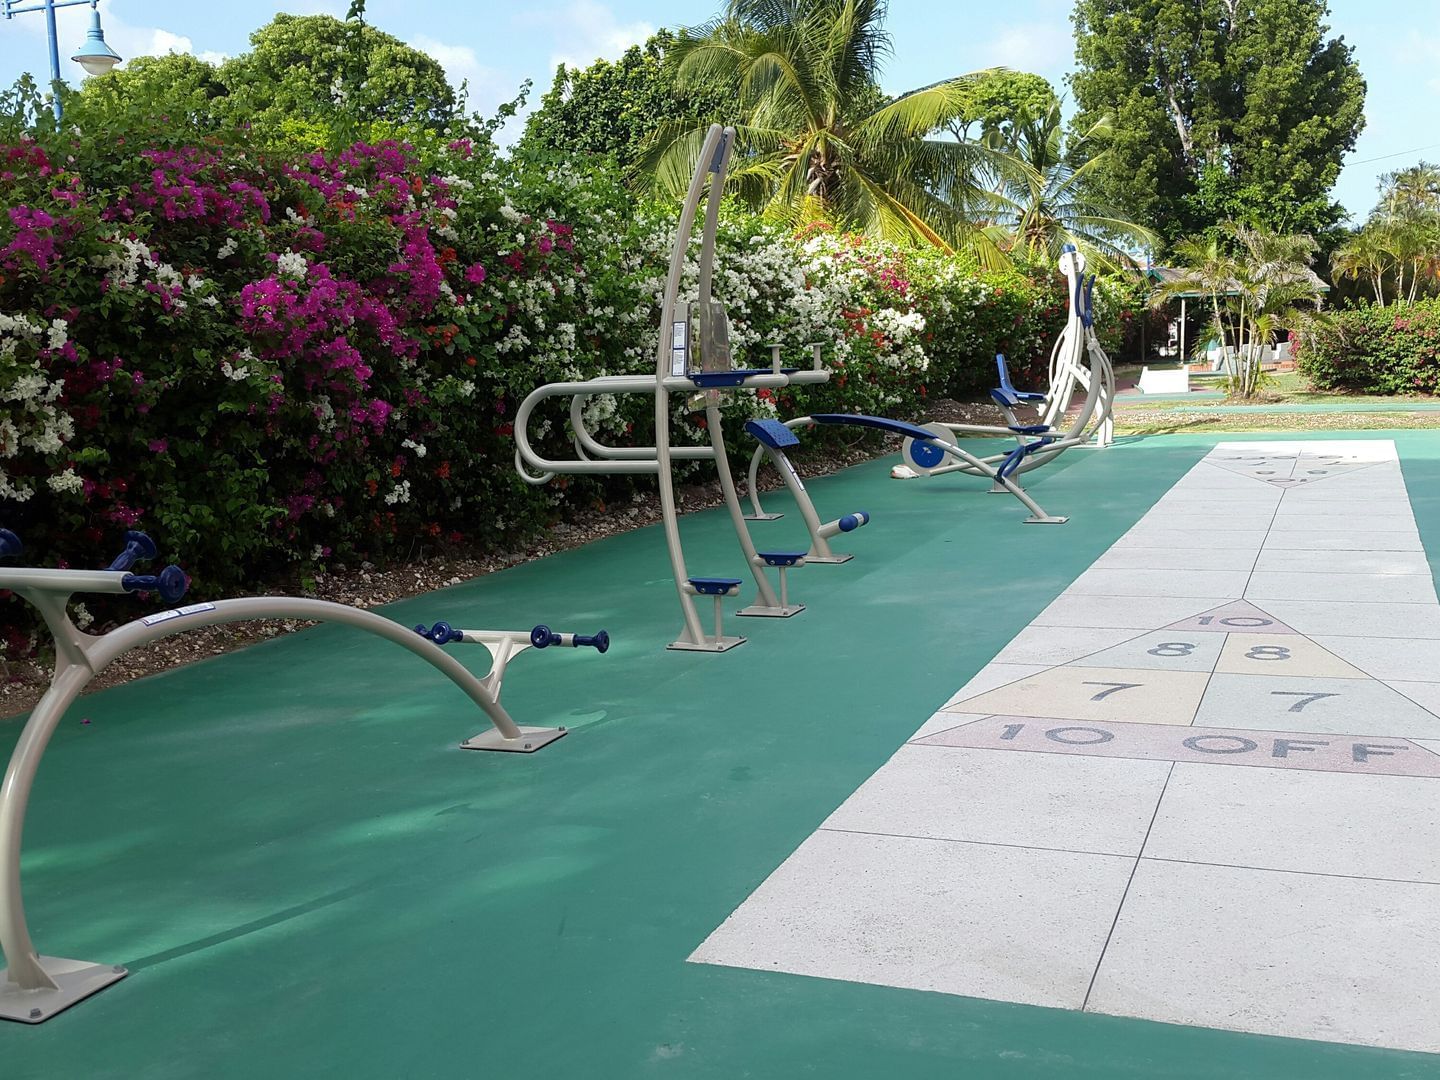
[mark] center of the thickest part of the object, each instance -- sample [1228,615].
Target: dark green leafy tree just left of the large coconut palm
[618,107]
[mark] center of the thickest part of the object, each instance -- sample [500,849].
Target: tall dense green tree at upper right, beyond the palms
[1222,109]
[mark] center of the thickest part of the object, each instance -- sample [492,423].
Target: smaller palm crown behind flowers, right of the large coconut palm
[1045,195]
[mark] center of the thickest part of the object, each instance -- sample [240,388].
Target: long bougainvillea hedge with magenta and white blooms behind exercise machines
[271,362]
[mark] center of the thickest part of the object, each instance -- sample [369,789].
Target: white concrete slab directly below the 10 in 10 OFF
[1098,806]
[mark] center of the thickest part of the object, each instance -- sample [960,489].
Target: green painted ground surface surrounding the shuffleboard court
[310,881]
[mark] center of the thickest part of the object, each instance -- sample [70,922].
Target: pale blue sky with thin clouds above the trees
[496,47]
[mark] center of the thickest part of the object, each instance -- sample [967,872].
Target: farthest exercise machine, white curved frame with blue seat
[1078,362]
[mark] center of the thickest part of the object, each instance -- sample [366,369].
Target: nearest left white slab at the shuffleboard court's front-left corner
[989,922]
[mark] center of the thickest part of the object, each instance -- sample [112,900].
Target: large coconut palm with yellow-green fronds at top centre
[819,140]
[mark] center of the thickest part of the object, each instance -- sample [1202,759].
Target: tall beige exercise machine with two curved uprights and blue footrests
[693,358]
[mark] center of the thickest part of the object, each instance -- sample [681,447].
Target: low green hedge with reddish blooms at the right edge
[1392,349]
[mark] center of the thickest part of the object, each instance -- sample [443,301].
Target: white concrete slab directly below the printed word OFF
[1320,823]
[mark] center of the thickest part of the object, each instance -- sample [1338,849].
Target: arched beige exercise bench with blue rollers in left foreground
[34,989]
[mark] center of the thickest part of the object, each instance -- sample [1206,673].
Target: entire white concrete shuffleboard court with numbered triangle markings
[1202,787]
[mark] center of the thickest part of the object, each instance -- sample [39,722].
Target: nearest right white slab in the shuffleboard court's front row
[1326,958]
